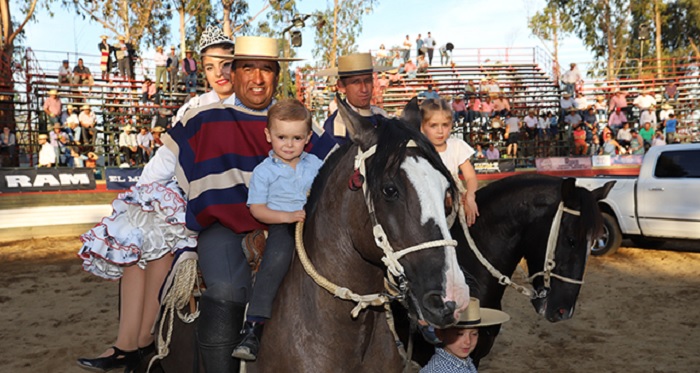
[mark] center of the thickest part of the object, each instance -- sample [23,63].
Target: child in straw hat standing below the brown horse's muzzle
[452,355]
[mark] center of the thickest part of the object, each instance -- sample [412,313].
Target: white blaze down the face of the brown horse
[430,185]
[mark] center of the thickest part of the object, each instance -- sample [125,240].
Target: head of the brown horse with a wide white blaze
[406,192]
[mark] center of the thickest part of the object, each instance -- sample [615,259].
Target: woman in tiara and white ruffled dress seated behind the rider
[137,242]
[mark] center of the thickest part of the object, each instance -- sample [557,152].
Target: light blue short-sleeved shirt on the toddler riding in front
[281,187]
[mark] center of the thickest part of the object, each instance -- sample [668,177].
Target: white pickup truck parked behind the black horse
[662,203]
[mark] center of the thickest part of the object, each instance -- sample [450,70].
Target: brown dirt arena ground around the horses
[638,312]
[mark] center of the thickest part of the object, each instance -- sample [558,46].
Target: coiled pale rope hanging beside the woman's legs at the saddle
[175,299]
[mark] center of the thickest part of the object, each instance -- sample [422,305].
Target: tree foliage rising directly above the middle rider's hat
[338,27]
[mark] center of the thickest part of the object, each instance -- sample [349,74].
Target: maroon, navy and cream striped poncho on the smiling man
[217,148]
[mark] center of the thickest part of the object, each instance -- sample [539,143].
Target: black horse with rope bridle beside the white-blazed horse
[516,215]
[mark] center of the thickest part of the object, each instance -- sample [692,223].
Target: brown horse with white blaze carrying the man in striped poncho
[376,213]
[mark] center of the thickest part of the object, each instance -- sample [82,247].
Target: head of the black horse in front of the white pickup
[576,224]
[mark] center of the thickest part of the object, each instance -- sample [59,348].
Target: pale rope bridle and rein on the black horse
[549,263]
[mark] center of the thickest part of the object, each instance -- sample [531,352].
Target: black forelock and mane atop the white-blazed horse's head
[393,135]
